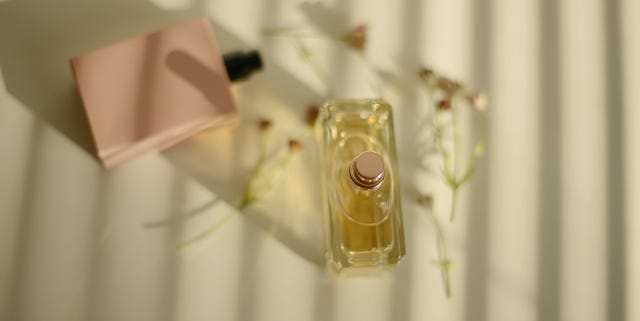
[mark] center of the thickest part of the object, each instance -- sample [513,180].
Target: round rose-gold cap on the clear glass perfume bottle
[367,169]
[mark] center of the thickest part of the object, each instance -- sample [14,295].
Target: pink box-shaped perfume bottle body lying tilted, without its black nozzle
[150,92]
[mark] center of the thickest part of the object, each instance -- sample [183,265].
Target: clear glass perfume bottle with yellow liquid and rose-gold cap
[362,199]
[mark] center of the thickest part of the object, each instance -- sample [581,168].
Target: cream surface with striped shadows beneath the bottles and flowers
[546,231]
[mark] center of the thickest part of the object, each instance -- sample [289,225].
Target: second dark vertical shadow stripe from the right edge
[550,194]
